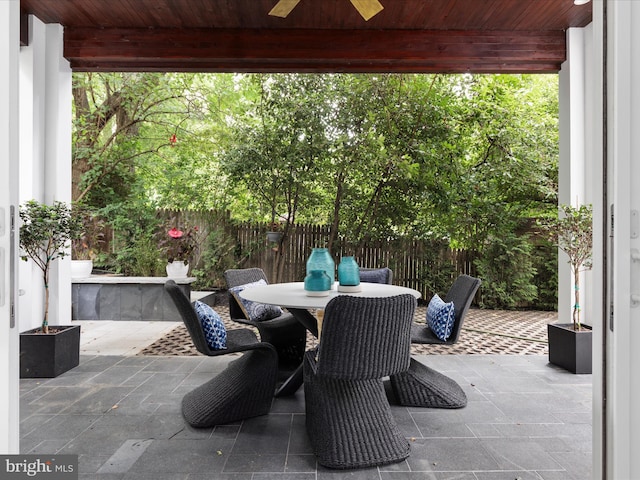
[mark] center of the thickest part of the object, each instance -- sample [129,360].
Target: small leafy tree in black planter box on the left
[45,234]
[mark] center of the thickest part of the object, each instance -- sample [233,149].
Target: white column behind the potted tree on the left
[45,161]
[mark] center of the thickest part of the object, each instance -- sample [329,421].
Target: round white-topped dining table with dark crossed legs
[294,298]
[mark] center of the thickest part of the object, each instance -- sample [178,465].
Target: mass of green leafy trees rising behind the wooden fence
[463,159]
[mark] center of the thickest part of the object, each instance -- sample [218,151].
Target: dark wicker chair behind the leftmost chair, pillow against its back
[285,333]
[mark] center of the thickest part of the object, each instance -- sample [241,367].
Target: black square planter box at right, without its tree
[569,349]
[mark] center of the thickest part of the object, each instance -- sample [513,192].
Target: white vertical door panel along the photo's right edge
[623,152]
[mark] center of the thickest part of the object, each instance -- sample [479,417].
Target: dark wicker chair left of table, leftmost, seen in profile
[242,390]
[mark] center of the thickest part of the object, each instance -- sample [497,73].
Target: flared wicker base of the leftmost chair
[242,390]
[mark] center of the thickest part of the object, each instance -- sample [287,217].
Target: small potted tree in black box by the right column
[570,343]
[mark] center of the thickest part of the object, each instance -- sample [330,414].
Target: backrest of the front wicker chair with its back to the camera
[364,338]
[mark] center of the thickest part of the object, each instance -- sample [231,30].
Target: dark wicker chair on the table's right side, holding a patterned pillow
[422,386]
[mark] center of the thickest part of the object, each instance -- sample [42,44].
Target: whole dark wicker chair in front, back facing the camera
[349,420]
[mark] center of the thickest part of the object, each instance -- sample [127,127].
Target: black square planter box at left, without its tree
[49,355]
